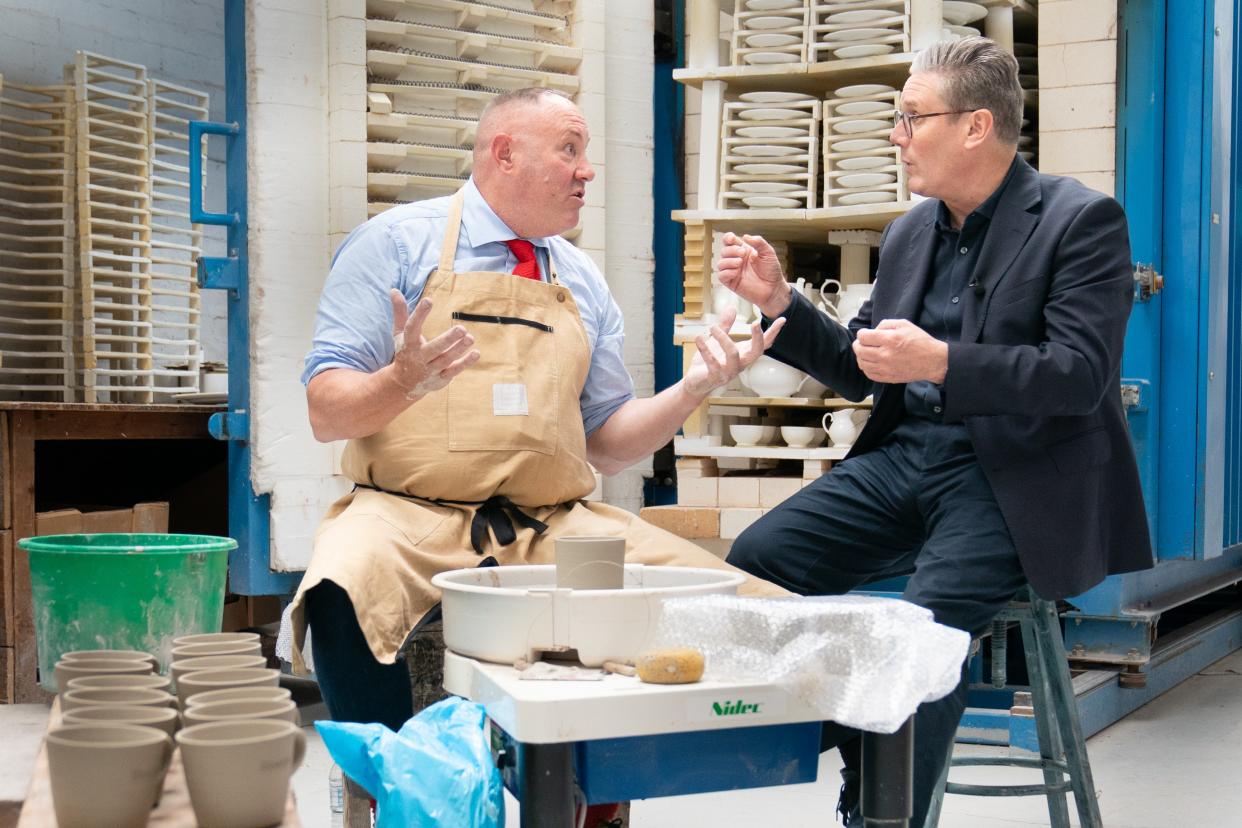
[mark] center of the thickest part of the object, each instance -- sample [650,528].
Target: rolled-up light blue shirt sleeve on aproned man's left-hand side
[355,322]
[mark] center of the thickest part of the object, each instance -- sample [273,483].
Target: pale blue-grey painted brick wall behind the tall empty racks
[182,43]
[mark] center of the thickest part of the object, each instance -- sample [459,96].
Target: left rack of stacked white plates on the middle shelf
[769,151]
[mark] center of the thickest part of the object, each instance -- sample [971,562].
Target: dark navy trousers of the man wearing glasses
[918,505]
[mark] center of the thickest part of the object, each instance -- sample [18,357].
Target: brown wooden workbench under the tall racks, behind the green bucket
[52,454]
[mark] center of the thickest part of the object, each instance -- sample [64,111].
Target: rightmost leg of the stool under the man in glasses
[1053,650]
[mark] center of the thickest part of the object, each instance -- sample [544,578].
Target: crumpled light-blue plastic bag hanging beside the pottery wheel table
[438,770]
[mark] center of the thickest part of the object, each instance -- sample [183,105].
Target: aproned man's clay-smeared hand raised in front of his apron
[420,366]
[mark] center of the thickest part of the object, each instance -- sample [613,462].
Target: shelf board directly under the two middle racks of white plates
[800,225]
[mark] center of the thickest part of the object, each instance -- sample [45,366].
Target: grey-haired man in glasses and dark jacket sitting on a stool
[998,452]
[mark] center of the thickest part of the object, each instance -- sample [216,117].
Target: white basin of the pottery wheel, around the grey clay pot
[502,614]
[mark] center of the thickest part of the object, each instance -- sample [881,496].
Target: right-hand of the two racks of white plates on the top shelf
[859,29]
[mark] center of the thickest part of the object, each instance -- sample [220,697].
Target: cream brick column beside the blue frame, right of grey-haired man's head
[1079,91]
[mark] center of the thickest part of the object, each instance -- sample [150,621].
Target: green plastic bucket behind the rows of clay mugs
[124,593]
